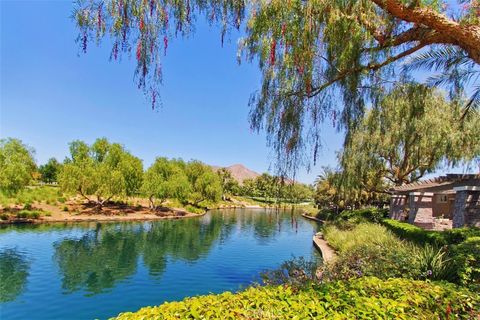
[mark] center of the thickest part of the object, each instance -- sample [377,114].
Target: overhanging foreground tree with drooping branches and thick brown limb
[320,59]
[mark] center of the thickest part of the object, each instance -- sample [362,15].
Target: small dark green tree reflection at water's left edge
[14,268]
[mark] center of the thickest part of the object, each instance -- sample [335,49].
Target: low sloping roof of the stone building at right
[442,181]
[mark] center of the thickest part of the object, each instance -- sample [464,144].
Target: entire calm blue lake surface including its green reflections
[88,271]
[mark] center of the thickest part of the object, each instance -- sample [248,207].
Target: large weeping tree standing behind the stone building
[413,131]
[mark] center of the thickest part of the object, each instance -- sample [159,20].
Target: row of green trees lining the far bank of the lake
[102,171]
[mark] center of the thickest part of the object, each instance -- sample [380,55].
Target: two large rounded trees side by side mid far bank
[104,170]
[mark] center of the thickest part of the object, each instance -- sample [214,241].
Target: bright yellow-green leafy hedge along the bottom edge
[366,298]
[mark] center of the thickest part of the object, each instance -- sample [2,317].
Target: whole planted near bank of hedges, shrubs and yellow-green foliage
[383,269]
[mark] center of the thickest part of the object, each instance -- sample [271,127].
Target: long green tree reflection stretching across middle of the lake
[109,253]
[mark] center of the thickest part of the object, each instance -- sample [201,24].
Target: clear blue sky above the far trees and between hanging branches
[51,94]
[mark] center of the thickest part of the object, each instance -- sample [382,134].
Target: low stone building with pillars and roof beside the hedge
[439,203]
